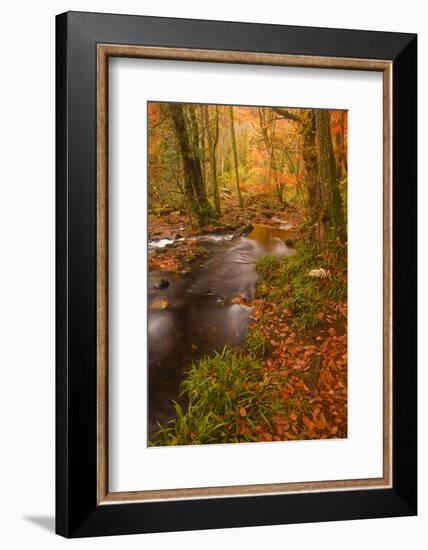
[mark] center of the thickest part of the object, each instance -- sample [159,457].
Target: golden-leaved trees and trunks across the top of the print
[202,156]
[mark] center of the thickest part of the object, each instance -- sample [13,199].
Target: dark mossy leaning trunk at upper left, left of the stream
[193,183]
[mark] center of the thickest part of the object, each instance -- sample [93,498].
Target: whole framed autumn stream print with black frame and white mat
[236,274]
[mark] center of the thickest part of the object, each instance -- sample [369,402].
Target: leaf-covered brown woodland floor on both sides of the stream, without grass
[302,369]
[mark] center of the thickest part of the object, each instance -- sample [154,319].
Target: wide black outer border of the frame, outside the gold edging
[77,512]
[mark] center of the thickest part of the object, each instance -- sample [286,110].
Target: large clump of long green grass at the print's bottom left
[228,396]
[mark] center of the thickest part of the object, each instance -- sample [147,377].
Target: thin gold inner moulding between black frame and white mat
[104,51]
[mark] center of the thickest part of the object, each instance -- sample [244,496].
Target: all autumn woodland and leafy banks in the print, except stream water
[220,169]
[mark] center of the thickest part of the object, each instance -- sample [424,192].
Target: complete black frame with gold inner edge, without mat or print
[84,44]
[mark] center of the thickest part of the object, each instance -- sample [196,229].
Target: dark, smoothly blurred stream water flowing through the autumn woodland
[200,318]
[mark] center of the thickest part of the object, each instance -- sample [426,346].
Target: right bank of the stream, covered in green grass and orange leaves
[289,379]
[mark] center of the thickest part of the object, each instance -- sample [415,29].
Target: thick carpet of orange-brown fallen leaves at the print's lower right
[314,366]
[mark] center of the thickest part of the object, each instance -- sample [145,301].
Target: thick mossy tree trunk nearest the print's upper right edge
[333,209]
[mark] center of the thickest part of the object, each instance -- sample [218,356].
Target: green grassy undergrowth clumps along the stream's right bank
[229,396]
